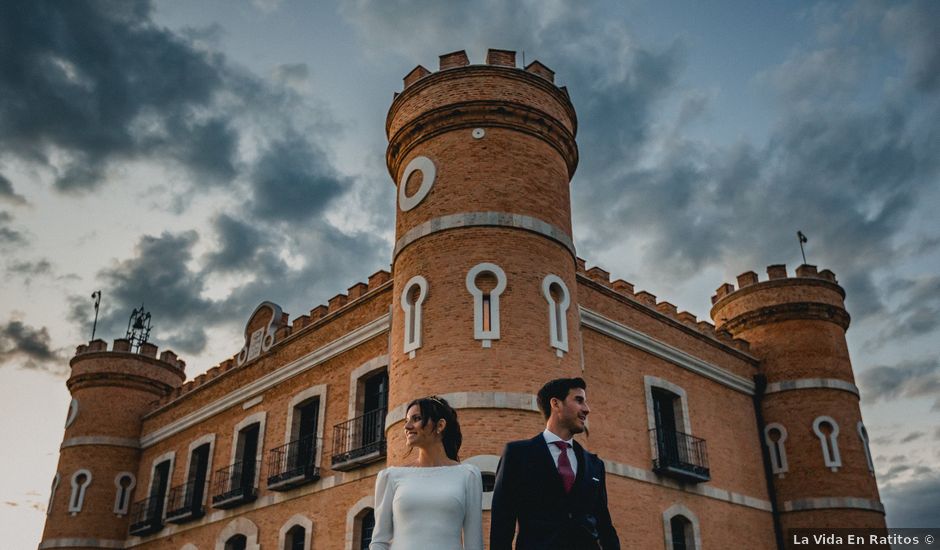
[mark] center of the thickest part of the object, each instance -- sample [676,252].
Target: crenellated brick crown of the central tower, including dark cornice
[495,94]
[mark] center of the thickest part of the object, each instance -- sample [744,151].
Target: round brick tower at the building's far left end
[99,457]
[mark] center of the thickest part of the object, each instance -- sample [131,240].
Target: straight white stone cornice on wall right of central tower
[634,338]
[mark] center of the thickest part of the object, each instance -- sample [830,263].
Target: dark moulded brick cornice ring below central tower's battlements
[487,113]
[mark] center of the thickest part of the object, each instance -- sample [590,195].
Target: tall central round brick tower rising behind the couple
[484,305]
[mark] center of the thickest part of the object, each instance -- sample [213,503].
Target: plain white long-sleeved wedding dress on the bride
[428,509]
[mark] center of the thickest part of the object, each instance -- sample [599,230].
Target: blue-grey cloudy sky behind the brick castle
[200,157]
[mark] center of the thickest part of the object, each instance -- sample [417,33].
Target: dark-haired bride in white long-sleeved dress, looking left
[429,504]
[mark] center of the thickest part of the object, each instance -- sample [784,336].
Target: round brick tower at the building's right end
[817,446]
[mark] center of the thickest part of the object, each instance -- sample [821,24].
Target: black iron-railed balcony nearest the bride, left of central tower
[359,441]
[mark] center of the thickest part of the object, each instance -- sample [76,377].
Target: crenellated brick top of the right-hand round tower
[809,295]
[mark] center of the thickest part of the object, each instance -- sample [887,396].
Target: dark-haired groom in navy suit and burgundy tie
[550,484]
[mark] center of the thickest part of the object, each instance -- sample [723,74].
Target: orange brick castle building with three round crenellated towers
[714,436]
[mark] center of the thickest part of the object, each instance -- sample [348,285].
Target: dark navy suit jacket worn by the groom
[529,489]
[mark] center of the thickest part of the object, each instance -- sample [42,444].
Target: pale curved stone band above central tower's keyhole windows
[485,219]
